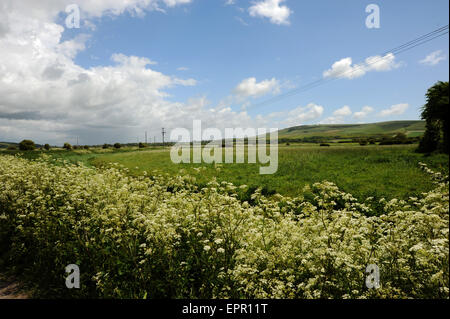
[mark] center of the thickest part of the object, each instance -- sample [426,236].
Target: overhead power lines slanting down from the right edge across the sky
[397,50]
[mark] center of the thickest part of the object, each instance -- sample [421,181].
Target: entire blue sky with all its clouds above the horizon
[136,66]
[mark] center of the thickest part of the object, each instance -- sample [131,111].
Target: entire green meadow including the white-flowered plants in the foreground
[141,226]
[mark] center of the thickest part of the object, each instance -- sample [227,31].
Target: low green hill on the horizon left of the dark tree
[410,128]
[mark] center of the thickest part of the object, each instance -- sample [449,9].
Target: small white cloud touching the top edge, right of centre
[271,9]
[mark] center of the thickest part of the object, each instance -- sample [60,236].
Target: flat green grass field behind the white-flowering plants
[364,171]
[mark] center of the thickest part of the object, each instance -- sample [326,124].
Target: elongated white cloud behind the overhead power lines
[345,69]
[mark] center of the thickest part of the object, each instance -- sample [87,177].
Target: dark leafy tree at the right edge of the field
[435,113]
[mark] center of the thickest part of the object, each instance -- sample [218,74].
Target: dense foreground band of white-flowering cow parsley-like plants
[156,236]
